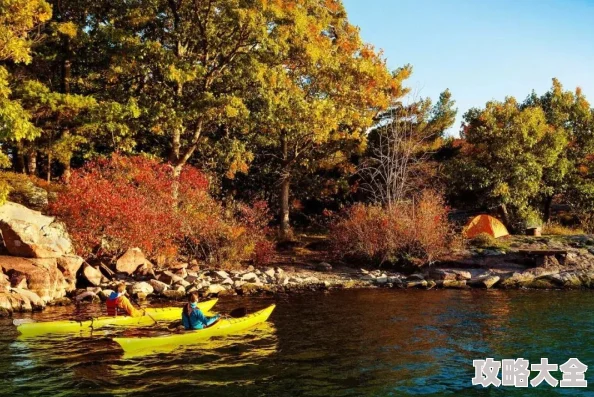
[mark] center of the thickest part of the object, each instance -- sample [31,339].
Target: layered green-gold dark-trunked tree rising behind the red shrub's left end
[71,118]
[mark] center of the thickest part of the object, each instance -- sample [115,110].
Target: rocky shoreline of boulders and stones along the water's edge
[38,268]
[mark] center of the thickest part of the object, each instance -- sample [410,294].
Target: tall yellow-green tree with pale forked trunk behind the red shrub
[189,65]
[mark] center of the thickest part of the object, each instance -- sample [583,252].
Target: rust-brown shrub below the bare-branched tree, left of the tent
[407,233]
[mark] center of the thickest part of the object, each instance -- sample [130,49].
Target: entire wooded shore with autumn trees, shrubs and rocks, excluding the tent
[183,146]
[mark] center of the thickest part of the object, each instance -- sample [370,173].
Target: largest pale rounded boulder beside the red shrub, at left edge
[29,234]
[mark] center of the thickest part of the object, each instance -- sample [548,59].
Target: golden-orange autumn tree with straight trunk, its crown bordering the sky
[319,93]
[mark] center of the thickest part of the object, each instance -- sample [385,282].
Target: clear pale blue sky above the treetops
[483,49]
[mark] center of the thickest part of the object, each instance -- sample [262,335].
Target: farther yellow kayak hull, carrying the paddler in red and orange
[69,326]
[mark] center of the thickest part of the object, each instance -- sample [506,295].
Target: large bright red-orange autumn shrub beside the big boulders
[112,204]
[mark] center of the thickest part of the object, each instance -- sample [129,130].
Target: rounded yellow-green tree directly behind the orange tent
[507,152]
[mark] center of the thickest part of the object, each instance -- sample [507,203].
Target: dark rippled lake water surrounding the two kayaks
[341,343]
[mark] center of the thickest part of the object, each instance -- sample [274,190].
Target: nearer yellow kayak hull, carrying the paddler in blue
[220,328]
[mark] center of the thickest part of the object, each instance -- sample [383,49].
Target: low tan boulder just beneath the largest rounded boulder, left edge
[43,276]
